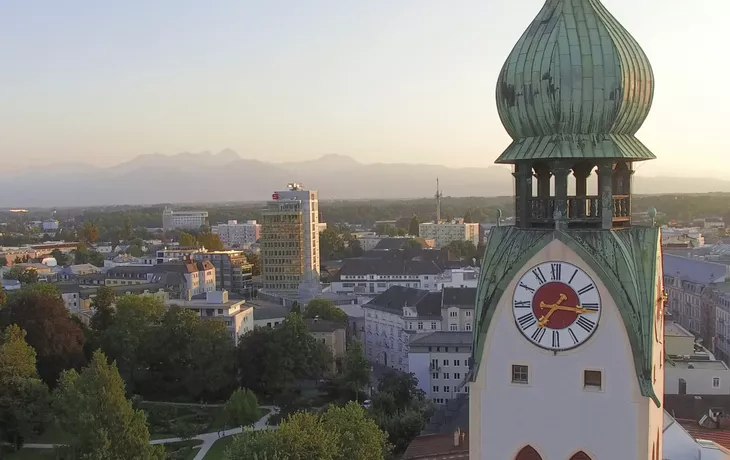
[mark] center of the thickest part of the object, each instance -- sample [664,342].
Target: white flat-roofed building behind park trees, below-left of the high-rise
[237,316]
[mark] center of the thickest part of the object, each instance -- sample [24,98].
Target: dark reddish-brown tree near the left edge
[57,340]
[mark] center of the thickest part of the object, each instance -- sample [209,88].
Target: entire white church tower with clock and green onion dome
[568,352]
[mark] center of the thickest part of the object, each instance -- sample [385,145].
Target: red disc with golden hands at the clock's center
[556,305]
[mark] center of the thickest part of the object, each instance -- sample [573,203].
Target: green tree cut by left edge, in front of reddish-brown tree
[23,396]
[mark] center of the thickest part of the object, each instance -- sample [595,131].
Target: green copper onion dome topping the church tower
[576,85]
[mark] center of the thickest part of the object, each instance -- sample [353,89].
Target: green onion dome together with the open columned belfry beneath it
[572,94]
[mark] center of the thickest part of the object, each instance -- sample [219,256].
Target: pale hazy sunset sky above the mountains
[101,81]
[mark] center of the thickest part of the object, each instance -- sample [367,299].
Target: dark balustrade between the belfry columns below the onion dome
[580,209]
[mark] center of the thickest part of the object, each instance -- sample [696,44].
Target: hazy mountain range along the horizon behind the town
[226,177]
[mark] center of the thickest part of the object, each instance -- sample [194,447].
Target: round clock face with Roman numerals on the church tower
[556,305]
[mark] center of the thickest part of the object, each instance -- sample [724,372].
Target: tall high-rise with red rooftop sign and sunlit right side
[290,239]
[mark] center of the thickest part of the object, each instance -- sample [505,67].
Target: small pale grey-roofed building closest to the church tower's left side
[440,361]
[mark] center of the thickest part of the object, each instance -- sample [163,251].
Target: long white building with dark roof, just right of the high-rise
[370,276]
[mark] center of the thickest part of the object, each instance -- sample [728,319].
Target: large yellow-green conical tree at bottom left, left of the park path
[93,409]
